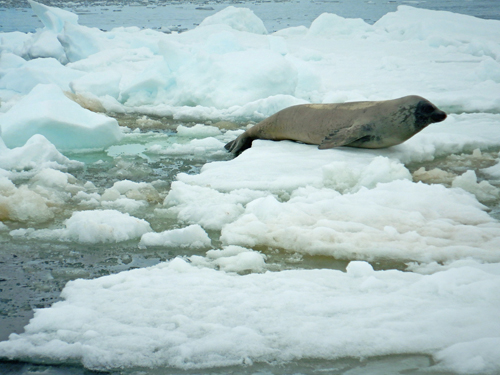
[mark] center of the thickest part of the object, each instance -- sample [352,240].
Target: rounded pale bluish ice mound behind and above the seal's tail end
[217,80]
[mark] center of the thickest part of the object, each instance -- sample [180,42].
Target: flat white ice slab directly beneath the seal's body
[285,165]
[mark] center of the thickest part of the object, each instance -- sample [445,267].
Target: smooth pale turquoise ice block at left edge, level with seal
[47,111]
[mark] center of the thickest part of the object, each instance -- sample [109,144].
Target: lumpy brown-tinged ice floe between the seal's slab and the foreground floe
[397,220]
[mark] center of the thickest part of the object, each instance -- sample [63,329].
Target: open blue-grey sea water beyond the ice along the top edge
[183,15]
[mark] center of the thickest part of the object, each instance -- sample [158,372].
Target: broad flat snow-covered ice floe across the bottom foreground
[188,317]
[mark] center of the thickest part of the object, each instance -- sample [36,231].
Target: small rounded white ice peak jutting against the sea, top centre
[242,19]
